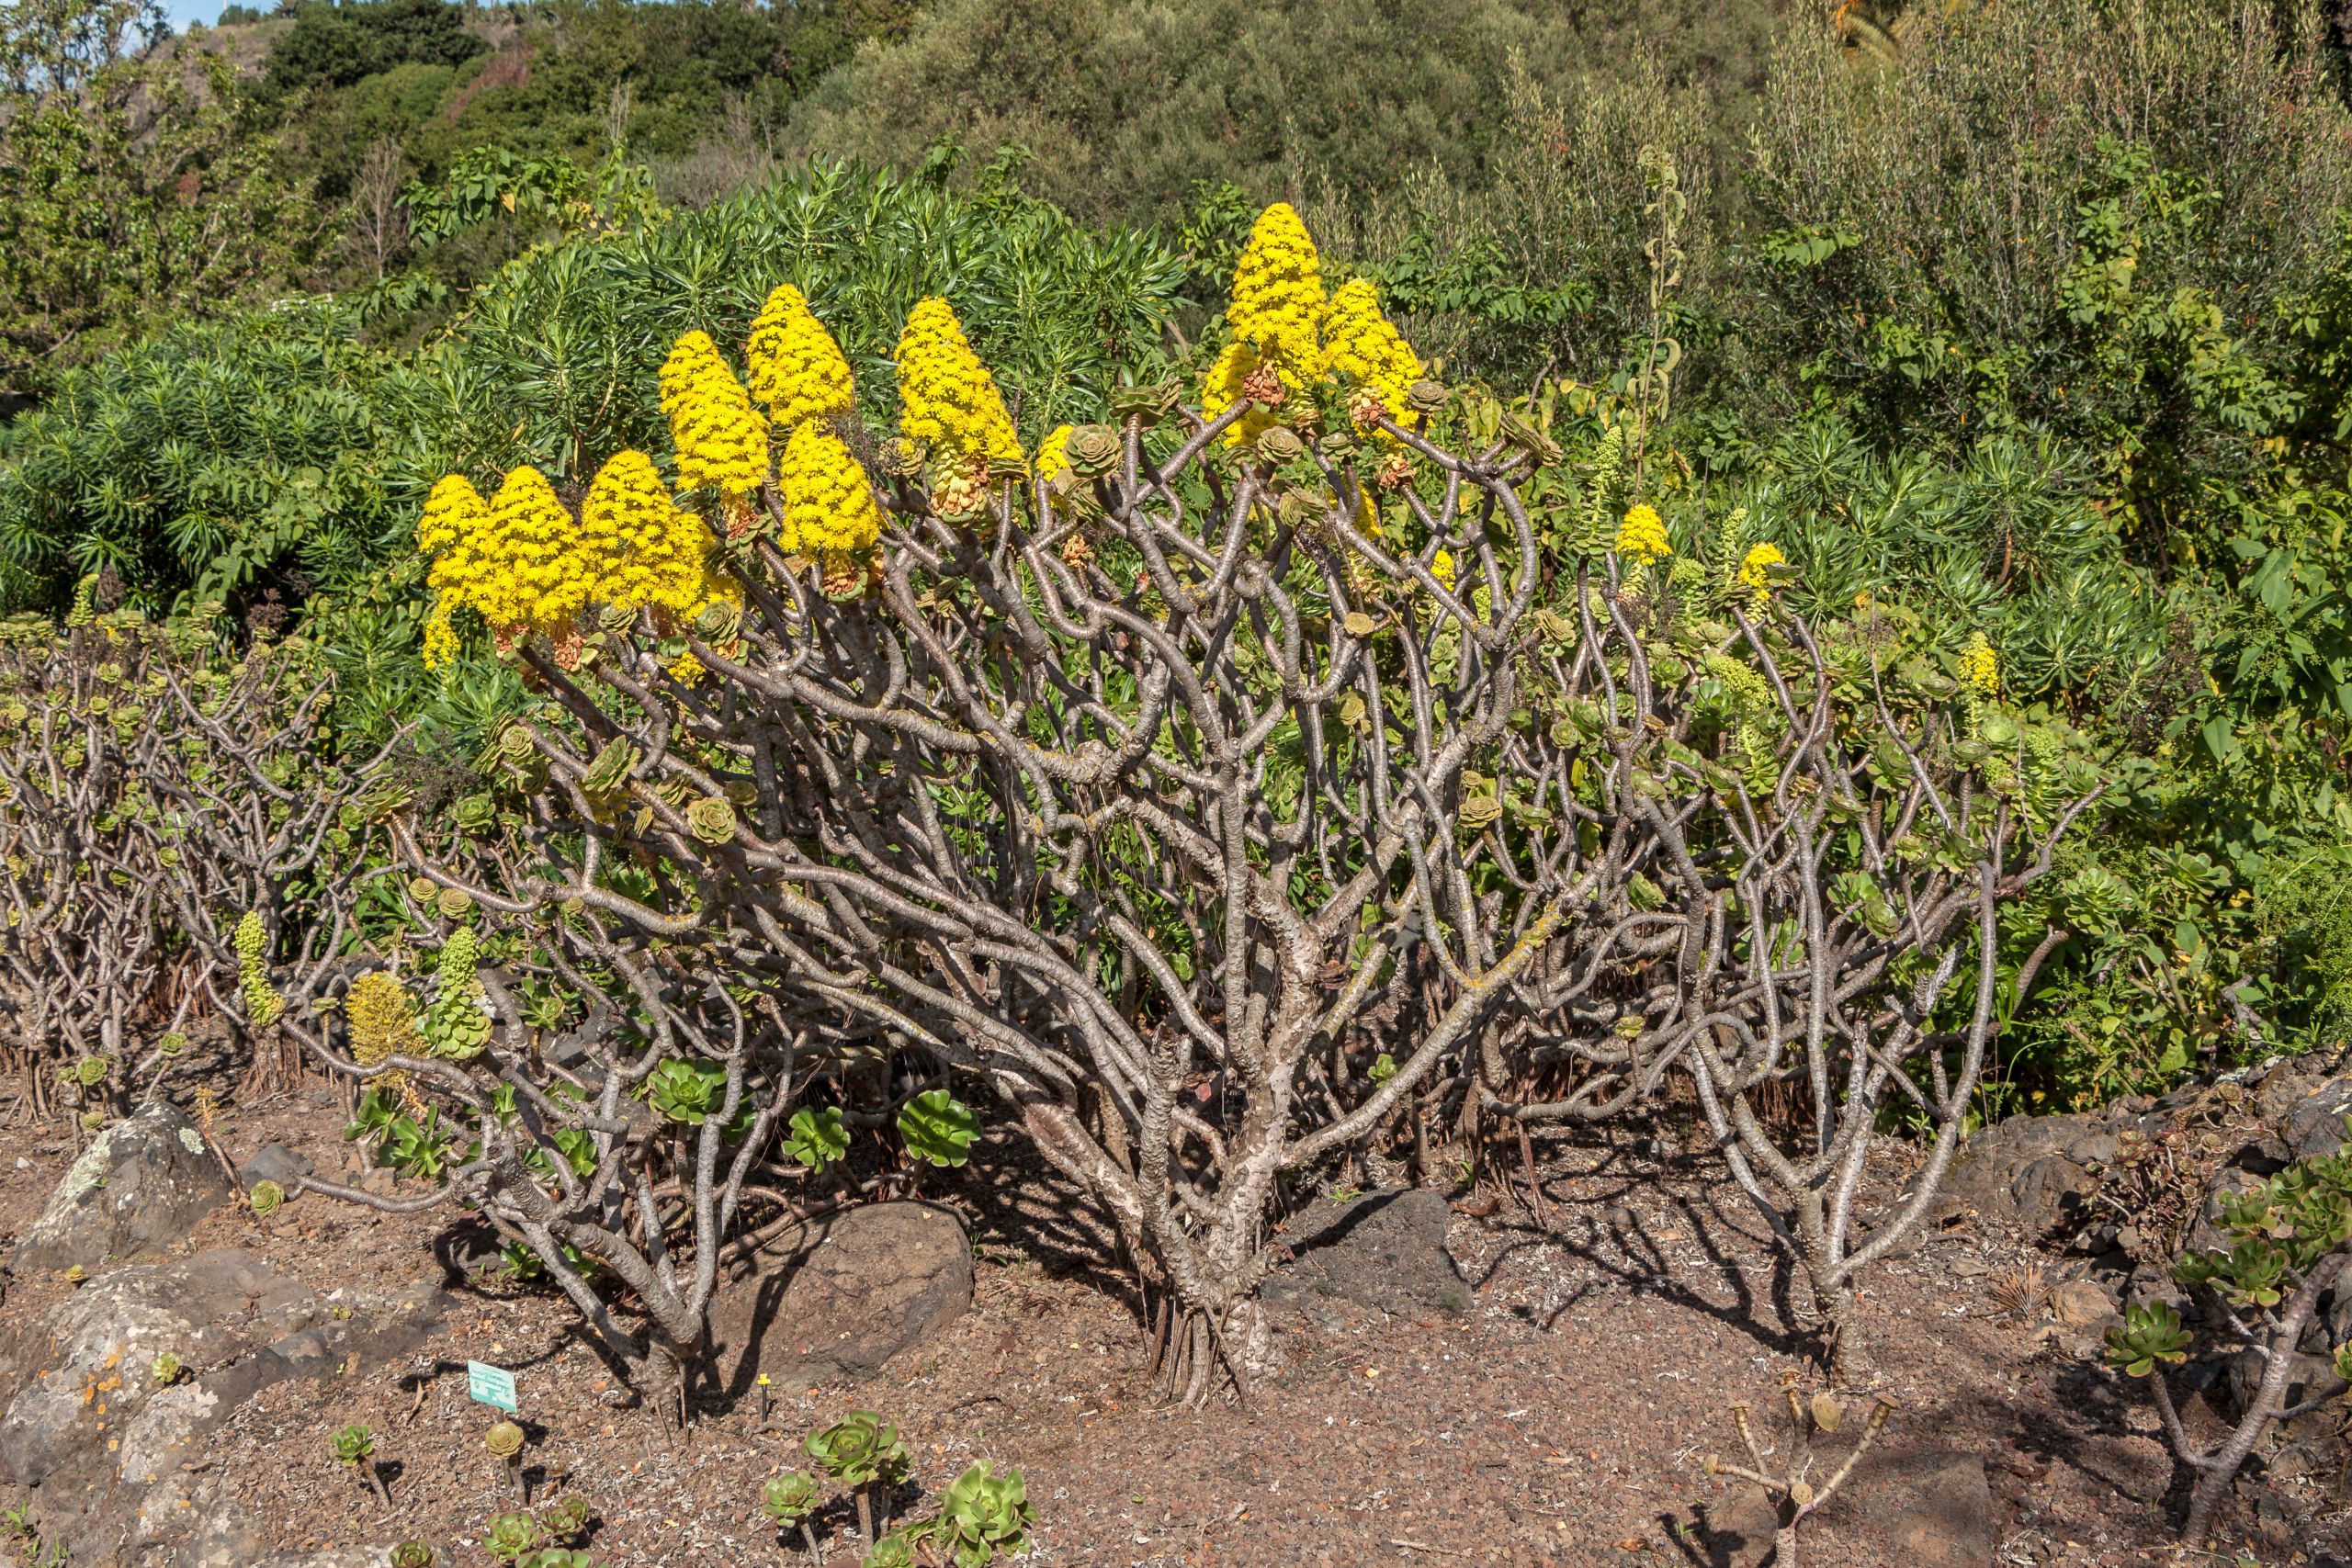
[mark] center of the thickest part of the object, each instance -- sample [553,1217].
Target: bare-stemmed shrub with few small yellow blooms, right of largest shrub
[1789,847]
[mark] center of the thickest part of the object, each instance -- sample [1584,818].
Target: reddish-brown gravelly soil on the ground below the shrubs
[1563,1421]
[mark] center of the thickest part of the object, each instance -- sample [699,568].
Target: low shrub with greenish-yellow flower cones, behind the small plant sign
[603,1099]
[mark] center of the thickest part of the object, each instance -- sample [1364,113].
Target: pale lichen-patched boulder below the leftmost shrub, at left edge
[135,1193]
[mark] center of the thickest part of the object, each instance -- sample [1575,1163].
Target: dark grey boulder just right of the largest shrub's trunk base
[1384,1249]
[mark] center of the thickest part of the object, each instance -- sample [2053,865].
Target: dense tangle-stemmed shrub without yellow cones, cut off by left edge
[171,808]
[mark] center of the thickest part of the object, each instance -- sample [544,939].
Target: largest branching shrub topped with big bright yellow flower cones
[1111,775]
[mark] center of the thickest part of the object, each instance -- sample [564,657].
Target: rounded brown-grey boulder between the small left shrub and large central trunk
[836,1299]
